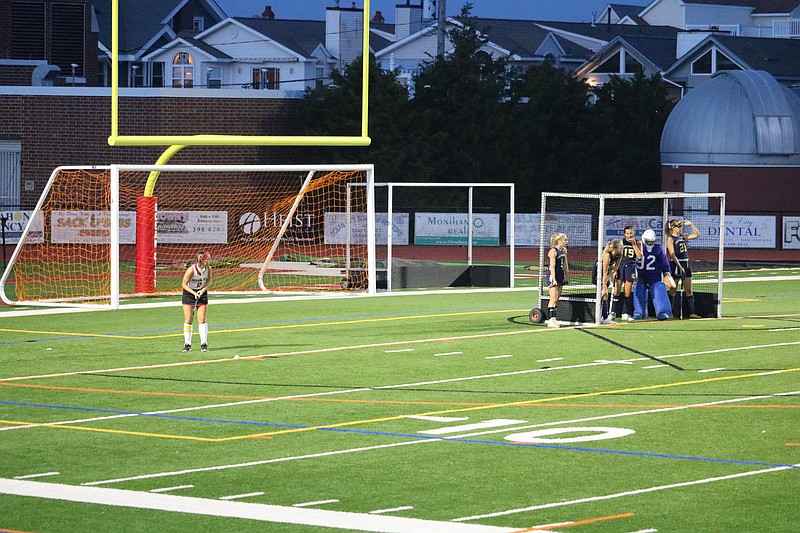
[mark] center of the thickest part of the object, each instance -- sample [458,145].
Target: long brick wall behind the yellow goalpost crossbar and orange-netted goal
[73,130]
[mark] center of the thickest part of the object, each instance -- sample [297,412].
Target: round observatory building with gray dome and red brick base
[738,133]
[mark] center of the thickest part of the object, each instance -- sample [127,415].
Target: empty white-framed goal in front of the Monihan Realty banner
[445,235]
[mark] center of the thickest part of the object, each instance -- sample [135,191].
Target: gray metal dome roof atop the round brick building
[741,117]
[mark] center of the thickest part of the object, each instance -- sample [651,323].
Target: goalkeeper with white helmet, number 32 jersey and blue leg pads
[652,276]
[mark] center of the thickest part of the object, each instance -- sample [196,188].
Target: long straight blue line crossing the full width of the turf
[414,436]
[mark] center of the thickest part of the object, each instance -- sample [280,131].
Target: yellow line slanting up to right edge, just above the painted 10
[512,404]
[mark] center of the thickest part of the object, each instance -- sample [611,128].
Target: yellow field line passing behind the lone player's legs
[263,328]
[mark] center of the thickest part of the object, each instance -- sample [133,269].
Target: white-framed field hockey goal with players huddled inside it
[590,221]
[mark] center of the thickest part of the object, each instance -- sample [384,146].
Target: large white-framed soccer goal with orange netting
[104,234]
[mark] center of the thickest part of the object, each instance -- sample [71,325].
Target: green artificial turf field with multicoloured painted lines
[419,412]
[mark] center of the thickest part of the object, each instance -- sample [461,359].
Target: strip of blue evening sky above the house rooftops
[557,10]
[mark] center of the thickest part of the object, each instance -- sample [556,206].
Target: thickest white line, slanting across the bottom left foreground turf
[249,511]
